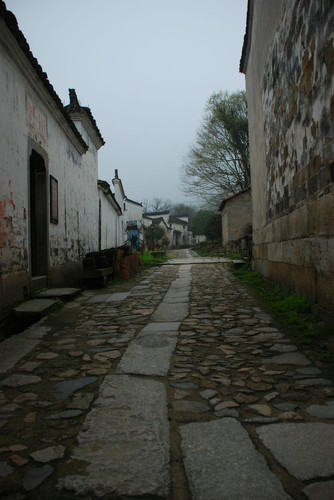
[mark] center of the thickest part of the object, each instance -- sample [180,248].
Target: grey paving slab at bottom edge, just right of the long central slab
[222,462]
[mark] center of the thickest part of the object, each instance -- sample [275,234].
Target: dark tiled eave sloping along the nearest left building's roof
[12,24]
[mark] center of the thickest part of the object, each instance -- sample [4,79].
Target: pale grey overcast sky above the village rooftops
[146,69]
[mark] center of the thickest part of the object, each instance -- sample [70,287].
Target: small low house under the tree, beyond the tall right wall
[236,212]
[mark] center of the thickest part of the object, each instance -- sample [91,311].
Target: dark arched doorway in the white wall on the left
[38,216]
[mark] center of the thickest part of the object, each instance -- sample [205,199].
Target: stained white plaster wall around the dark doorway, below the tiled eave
[30,120]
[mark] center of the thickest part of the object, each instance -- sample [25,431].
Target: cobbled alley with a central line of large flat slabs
[176,385]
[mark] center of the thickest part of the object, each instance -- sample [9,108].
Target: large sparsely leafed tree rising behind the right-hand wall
[217,165]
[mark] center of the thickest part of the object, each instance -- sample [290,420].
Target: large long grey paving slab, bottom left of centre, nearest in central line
[125,442]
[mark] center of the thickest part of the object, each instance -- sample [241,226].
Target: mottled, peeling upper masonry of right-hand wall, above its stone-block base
[298,103]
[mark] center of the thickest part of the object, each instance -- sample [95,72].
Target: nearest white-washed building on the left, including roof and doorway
[49,169]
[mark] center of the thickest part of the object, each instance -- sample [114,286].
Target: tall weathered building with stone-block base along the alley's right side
[288,58]
